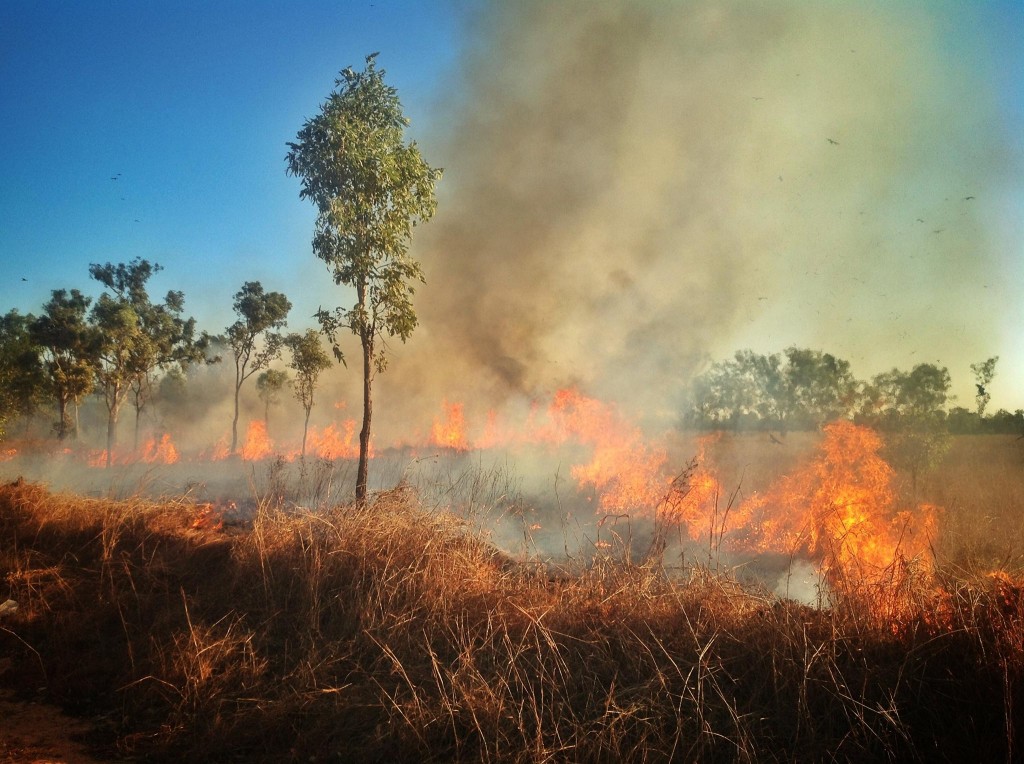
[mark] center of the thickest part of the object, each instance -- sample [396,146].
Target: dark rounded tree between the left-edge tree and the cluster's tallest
[70,348]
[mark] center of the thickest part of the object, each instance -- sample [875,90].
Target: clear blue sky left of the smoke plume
[190,106]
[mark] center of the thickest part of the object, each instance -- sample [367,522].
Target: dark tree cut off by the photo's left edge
[21,370]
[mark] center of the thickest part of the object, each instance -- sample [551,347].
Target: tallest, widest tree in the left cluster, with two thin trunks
[139,337]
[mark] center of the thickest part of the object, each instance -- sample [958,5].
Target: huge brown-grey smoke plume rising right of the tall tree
[632,189]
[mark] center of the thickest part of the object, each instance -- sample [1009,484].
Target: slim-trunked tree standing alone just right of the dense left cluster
[260,313]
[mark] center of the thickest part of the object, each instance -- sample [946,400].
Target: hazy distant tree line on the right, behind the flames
[802,390]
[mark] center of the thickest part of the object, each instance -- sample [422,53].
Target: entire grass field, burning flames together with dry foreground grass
[642,606]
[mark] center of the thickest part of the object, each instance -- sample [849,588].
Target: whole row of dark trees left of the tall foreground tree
[125,349]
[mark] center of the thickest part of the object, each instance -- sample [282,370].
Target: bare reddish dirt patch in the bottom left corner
[35,734]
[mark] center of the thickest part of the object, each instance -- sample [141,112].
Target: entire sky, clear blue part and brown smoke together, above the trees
[852,173]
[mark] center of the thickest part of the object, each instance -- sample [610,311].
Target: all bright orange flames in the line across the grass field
[840,510]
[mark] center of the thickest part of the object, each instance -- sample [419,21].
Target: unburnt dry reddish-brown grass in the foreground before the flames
[389,633]
